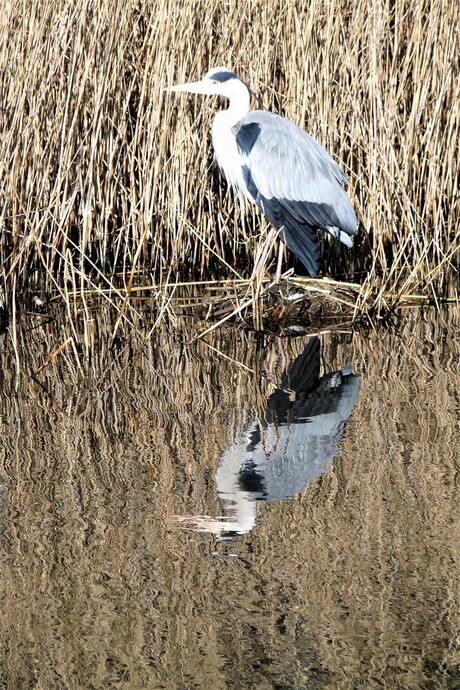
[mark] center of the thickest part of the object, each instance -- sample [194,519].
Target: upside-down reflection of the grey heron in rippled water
[293,441]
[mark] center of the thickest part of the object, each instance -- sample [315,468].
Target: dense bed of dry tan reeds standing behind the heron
[100,171]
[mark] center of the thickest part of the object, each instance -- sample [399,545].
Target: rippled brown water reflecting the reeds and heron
[284,516]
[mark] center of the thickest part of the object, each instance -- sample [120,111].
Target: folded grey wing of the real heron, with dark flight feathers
[295,182]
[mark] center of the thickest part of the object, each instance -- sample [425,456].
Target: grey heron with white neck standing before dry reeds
[278,167]
